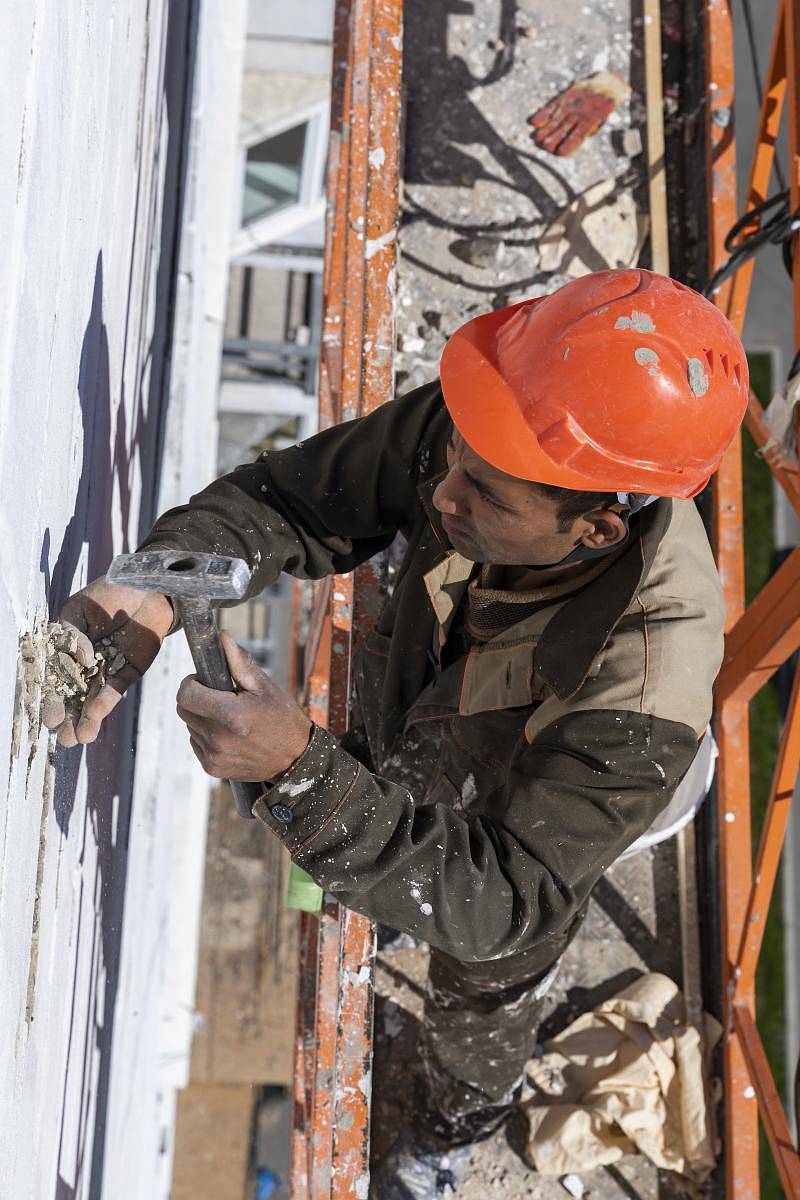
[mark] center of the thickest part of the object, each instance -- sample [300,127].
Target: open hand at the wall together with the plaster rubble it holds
[105,640]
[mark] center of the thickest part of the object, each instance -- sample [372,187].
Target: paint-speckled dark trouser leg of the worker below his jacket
[479,1030]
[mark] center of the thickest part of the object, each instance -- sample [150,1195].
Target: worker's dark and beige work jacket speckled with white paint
[503,781]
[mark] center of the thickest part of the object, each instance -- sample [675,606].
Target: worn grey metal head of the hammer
[183,574]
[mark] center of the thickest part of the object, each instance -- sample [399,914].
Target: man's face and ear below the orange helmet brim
[494,518]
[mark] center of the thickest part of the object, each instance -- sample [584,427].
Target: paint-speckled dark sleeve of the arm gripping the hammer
[477,889]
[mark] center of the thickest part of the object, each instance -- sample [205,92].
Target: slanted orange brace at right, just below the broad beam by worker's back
[772,843]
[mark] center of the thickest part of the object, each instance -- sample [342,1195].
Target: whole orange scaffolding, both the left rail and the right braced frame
[334,1036]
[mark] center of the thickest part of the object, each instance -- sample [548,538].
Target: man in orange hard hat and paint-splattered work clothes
[536,688]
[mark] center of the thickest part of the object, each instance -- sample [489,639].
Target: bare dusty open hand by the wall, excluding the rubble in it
[136,622]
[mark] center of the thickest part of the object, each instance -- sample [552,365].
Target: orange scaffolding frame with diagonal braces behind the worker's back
[763,637]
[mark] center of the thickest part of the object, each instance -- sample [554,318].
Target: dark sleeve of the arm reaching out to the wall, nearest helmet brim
[321,507]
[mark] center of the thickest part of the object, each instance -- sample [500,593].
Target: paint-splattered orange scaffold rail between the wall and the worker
[330,1141]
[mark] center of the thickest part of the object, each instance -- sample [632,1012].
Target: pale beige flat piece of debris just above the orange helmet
[596,232]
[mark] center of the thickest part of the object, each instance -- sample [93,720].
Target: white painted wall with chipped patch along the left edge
[110,344]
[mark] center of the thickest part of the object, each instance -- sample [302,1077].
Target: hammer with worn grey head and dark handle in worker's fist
[193,581]
